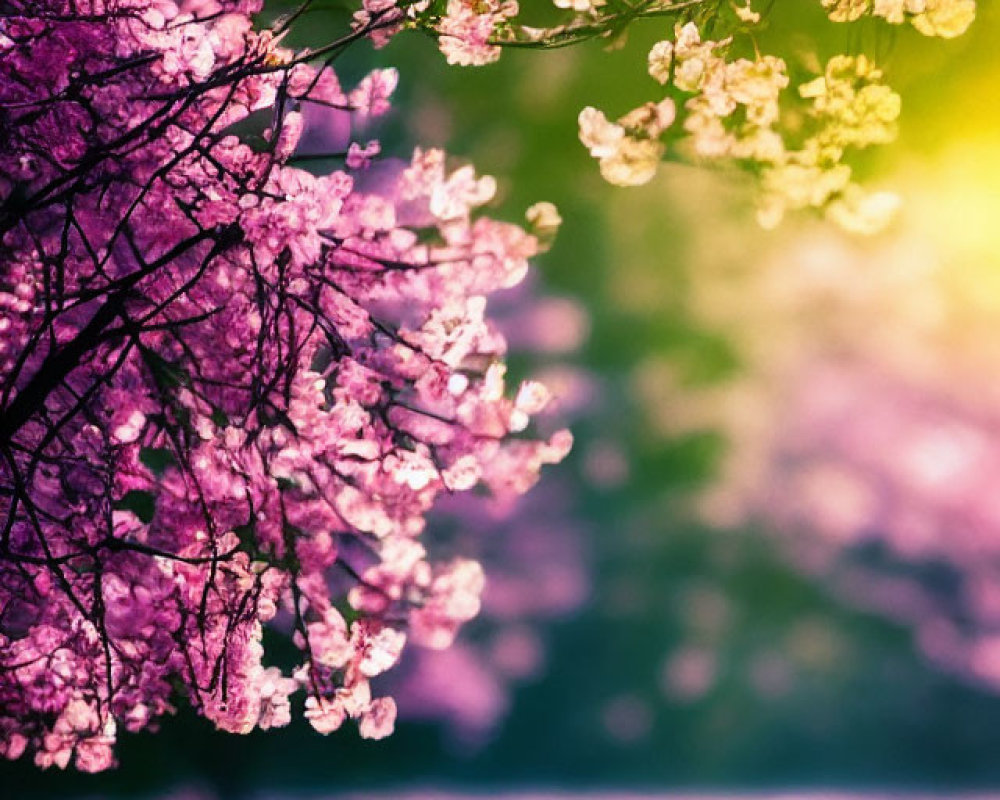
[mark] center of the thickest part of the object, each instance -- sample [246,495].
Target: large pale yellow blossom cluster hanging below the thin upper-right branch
[732,110]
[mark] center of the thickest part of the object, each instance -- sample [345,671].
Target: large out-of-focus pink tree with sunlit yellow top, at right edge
[861,424]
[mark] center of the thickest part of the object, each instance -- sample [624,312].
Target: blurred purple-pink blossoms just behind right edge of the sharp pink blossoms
[531,546]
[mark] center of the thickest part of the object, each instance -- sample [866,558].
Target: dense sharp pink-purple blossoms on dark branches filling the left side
[231,388]
